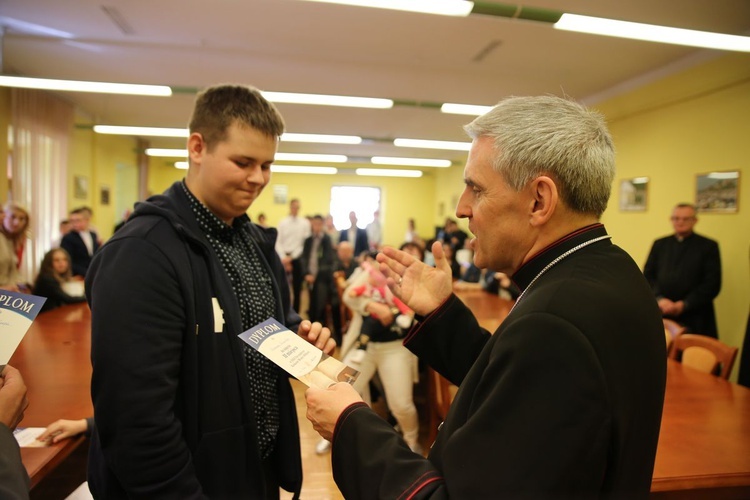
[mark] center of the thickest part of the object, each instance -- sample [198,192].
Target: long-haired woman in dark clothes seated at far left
[54,274]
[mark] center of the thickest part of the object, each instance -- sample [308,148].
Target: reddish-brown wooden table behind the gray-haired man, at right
[704,443]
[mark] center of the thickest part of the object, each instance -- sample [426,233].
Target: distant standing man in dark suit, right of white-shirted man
[317,268]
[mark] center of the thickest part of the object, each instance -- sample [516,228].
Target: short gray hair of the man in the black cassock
[548,135]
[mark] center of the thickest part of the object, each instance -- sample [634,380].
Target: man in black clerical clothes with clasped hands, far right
[684,270]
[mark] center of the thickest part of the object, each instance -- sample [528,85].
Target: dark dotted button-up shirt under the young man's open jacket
[253,285]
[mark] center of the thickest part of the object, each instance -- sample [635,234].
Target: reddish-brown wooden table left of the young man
[53,359]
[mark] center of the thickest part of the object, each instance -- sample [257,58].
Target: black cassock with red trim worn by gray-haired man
[563,401]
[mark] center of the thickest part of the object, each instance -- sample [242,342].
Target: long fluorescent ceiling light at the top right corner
[652,33]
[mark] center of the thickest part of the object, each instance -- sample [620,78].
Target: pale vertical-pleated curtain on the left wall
[40,131]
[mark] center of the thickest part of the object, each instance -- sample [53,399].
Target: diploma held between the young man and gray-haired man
[297,356]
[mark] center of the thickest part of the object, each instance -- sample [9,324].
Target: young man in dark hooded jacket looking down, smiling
[183,408]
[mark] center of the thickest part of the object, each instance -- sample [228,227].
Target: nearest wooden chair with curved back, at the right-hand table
[706,354]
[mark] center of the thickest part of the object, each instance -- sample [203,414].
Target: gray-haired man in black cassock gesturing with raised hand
[564,400]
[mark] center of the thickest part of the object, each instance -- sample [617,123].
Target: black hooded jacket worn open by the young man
[171,395]
